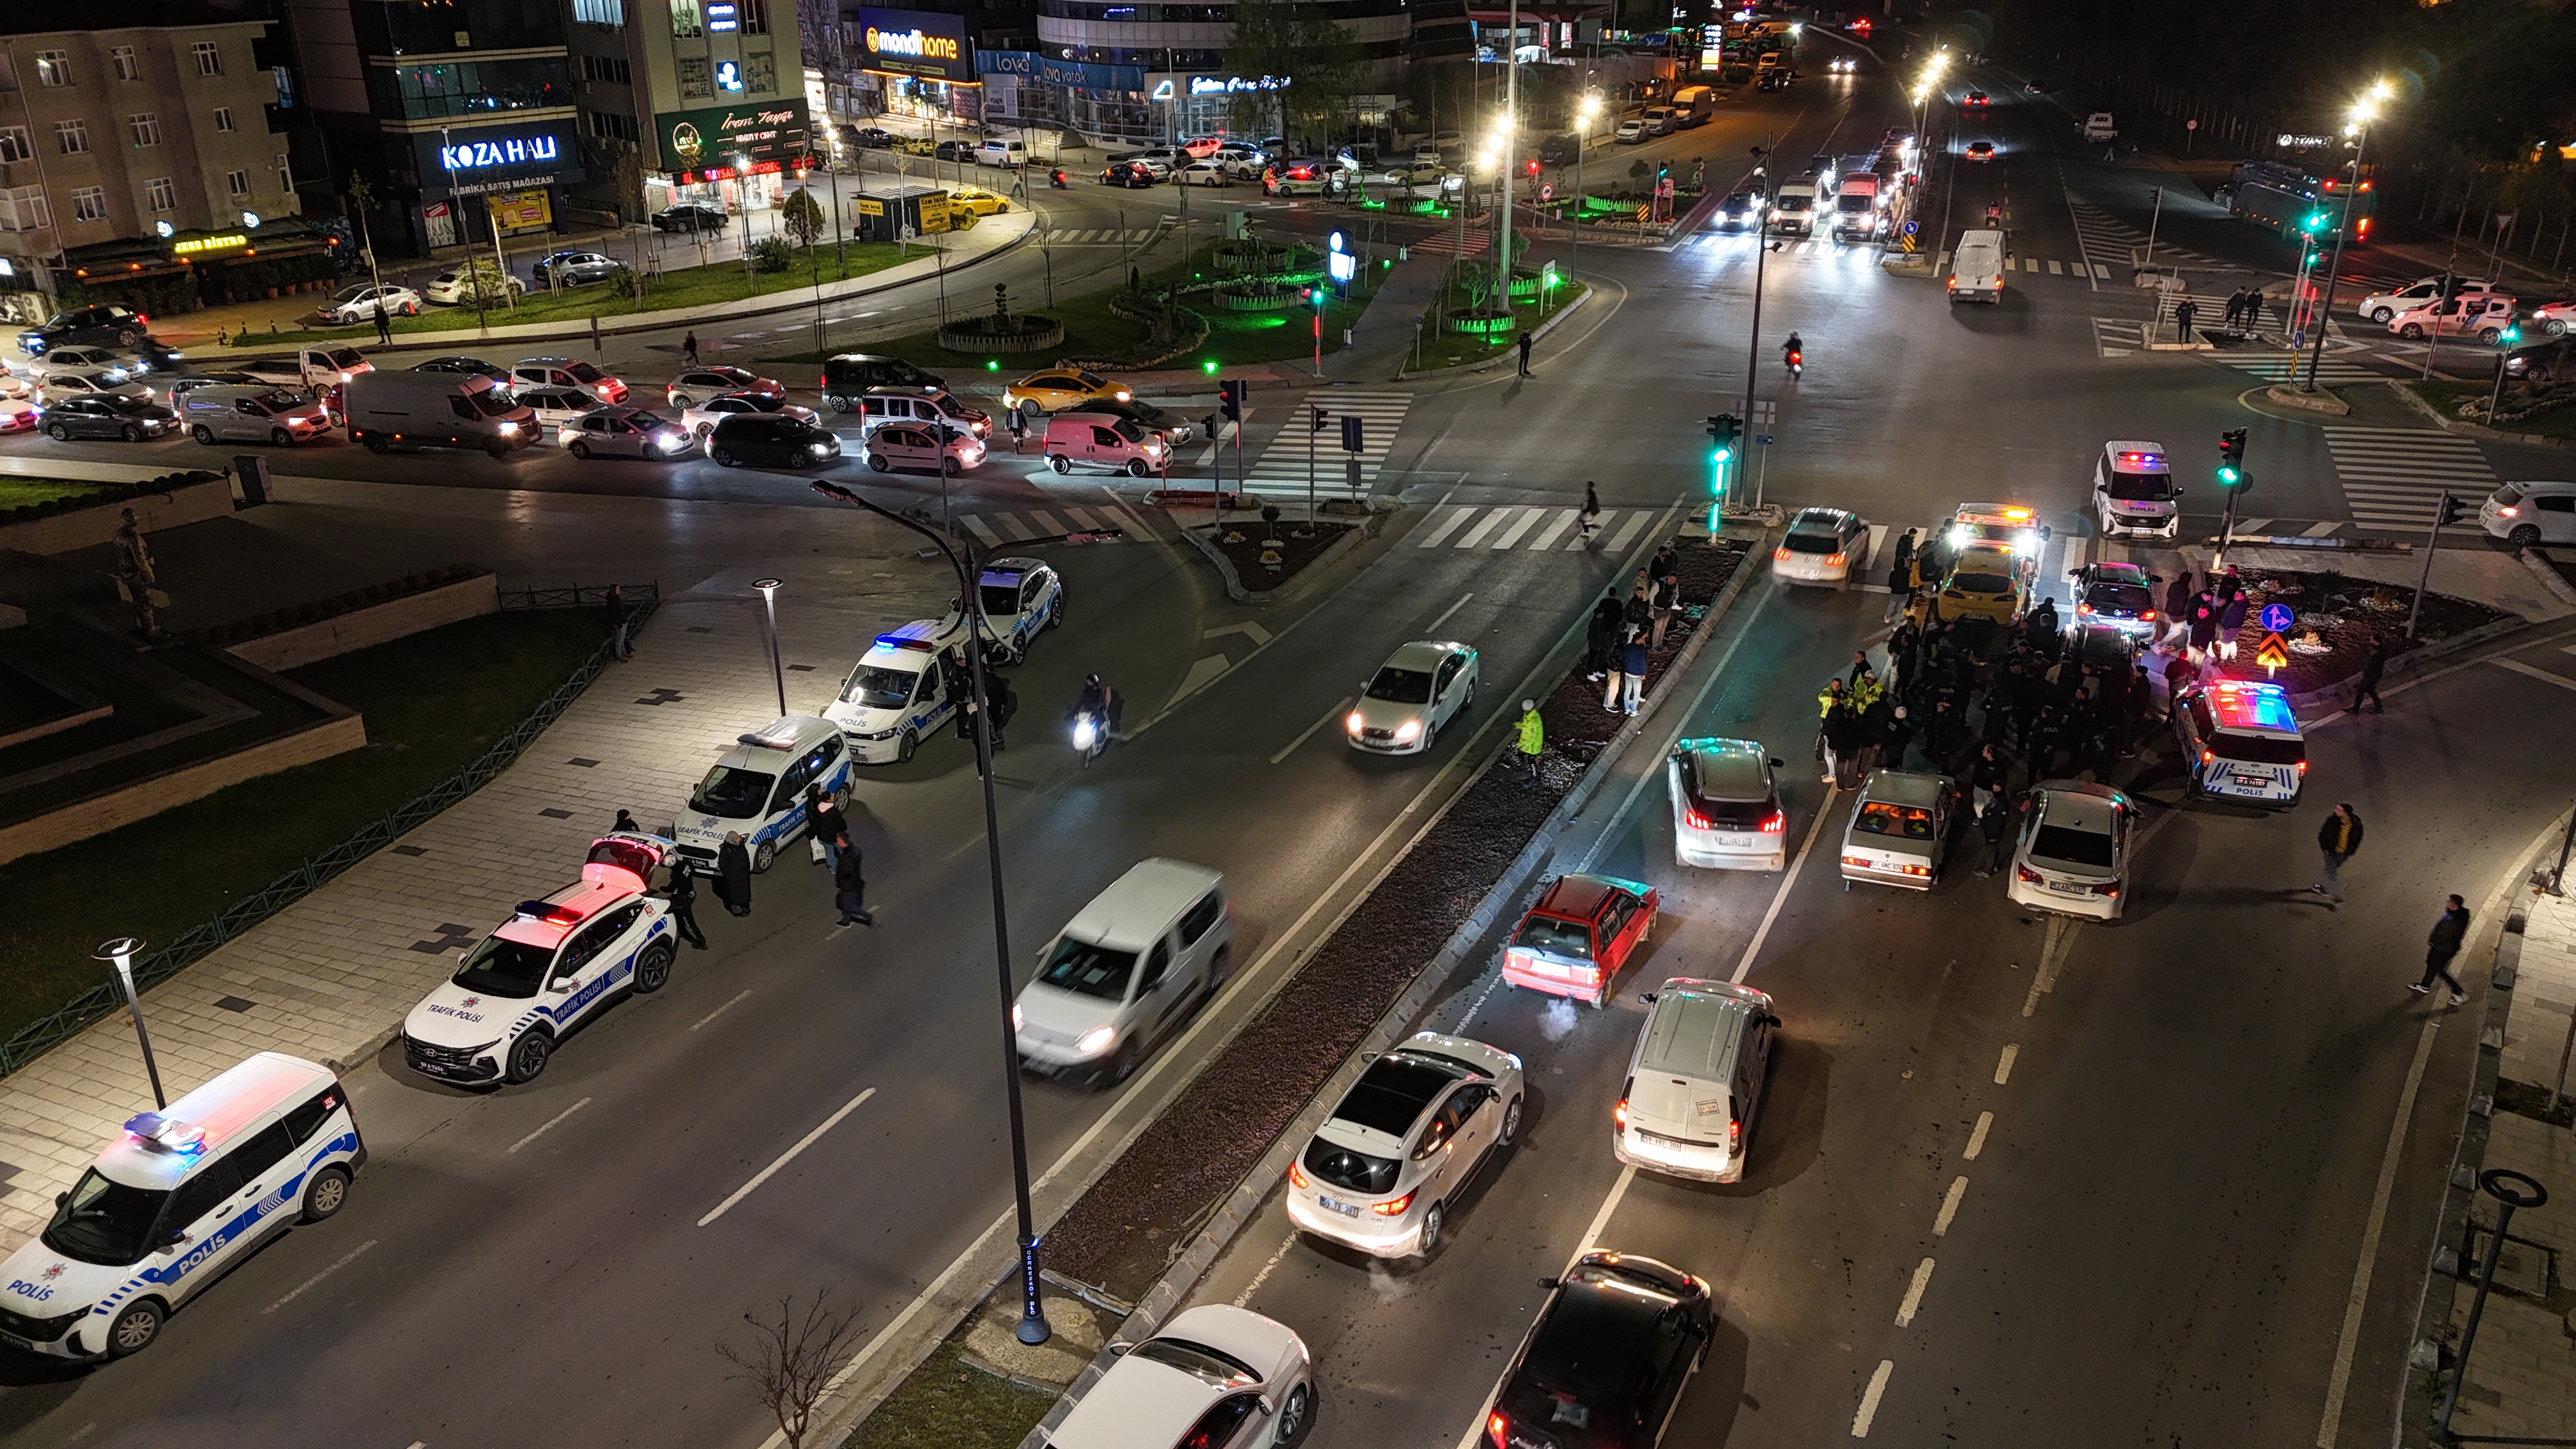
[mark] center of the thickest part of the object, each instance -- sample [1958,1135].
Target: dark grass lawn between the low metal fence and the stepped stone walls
[184,865]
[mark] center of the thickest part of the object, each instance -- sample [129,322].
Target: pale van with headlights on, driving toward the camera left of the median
[1124,971]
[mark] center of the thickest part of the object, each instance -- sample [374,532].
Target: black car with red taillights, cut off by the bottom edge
[1609,1360]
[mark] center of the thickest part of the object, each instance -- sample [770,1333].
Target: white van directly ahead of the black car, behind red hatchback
[1696,1082]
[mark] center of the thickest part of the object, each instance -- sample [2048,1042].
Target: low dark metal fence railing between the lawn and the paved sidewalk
[310,875]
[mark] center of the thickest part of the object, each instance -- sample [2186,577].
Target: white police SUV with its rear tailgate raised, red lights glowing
[547,971]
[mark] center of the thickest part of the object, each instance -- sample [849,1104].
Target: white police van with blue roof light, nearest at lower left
[179,1198]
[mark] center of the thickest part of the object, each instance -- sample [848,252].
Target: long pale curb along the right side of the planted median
[1248,1195]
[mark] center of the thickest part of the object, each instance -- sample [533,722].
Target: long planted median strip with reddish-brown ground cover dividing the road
[1142,1234]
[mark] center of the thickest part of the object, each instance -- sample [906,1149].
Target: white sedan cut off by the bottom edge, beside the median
[1217,1376]
